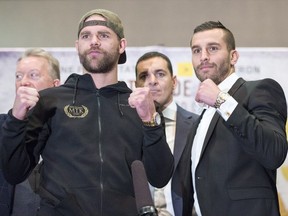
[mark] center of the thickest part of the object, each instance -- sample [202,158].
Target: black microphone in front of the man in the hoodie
[143,196]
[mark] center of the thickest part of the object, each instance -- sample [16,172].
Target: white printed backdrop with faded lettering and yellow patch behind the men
[254,63]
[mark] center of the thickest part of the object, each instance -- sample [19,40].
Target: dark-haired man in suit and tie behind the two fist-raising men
[154,70]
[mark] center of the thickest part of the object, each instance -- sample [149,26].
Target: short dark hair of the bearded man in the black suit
[229,37]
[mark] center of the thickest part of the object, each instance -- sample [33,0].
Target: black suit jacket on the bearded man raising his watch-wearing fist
[236,173]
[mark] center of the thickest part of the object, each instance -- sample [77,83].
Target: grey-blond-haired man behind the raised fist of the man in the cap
[36,69]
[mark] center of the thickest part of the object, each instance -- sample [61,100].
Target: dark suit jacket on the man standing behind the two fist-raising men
[185,121]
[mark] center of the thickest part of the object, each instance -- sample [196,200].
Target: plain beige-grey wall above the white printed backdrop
[53,23]
